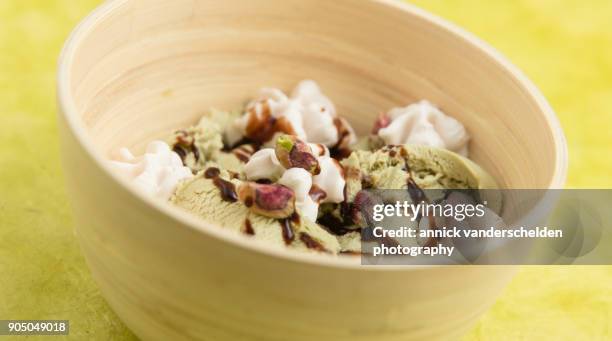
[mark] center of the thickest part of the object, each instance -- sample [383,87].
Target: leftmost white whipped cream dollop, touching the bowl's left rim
[157,172]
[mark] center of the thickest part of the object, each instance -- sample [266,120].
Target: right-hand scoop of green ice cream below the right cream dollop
[398,166]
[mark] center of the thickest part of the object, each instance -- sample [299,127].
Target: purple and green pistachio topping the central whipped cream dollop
[294,153]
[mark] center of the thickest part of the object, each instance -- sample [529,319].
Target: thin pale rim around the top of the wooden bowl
[67,110]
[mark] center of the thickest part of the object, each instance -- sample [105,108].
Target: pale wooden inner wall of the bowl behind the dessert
[146,67]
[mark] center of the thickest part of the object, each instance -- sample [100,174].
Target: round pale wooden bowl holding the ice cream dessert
[136,69]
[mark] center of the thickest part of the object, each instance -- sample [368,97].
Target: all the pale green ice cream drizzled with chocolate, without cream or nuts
[336,230]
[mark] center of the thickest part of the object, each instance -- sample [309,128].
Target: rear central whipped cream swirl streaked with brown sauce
[308,113]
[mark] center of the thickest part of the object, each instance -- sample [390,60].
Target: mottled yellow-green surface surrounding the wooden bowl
[565,47]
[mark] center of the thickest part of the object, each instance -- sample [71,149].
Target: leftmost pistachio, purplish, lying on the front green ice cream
[270,200]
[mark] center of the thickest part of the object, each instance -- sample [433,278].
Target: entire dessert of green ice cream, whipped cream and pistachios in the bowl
[290,171]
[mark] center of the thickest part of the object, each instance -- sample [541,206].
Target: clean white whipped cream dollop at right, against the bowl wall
[422,123]
